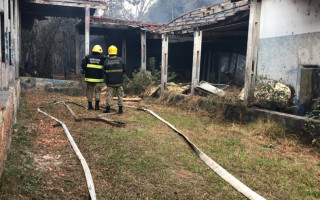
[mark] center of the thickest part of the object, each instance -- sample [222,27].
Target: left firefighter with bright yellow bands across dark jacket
[92,67]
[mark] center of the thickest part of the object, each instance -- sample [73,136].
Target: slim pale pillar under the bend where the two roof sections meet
[164,61]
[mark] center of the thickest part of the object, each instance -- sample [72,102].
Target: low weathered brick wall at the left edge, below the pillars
[9,103]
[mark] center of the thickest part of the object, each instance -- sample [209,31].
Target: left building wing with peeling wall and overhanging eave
[14,15]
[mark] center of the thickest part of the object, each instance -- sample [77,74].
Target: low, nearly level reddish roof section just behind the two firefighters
[108,22]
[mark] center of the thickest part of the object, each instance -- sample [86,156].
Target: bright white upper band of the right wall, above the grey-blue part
[289,17]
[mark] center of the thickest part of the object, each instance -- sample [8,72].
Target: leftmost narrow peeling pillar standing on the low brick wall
[6,44]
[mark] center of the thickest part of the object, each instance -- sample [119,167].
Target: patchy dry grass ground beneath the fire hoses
[147,160]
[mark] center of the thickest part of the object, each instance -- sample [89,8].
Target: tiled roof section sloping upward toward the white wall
[203,18]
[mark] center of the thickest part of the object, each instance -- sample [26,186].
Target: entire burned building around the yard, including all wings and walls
[235,42]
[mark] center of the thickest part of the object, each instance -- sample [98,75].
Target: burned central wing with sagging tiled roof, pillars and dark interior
[217,35]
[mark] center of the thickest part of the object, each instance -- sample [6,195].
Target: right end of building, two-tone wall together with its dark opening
[289,47]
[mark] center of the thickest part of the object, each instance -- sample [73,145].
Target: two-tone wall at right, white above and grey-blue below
[289,37]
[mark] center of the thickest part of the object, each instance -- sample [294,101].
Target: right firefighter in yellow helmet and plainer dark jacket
[114,69]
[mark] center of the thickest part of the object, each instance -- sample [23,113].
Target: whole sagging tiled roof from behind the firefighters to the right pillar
[221,14]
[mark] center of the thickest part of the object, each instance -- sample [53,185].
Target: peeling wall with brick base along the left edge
[9,75]
